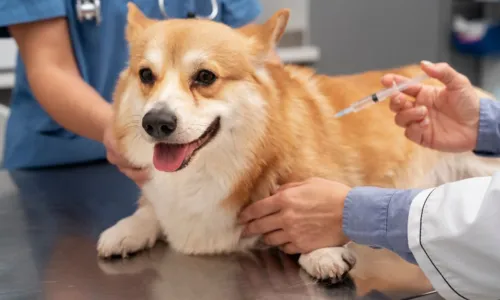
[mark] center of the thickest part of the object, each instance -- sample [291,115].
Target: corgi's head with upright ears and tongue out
[192,88]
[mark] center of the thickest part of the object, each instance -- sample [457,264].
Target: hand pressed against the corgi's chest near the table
[299,217]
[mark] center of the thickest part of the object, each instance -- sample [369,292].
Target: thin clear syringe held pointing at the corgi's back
[380,96]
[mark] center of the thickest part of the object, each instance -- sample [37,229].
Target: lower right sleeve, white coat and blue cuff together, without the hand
[450,231]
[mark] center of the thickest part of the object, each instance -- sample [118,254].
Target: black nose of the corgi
[159,123]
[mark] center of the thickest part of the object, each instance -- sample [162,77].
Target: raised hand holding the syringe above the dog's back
[441,118]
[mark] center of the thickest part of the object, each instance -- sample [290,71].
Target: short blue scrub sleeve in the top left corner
[23,11]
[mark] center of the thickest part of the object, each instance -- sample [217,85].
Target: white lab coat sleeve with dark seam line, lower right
[454,234]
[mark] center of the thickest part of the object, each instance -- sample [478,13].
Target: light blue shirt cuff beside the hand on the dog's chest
[378,217]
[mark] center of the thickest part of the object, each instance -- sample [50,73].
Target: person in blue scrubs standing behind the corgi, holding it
[66,73]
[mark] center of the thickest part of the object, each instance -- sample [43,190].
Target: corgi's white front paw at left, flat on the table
[129,235]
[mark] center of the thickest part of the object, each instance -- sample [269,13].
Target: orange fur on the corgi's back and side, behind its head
[304,139]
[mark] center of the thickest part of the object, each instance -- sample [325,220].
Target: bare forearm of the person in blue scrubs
[55,80]
